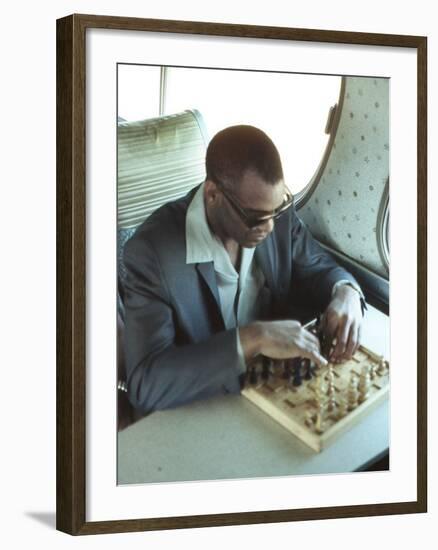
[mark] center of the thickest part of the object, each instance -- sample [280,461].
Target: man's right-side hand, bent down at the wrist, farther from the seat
[341,323]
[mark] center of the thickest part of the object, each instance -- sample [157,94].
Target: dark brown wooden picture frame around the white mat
[71,273]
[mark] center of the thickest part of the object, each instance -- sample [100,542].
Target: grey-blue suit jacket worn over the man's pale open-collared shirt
[176,346]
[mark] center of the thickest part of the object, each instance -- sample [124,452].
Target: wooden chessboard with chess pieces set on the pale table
[335,399]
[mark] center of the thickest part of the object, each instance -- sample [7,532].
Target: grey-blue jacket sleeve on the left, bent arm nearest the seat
[160,373]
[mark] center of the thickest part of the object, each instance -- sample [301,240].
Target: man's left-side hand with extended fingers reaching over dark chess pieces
[280,340]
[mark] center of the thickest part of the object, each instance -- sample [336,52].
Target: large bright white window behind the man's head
[291,108]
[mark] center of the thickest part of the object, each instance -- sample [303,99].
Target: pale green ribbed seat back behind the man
[159,160]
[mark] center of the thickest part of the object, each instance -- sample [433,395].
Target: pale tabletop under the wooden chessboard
[227,437]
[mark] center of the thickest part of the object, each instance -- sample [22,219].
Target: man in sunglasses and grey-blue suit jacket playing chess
[212,278]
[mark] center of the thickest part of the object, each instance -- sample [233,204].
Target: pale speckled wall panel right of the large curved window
[345,208]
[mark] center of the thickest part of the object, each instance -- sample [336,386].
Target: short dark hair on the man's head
[236,149]
